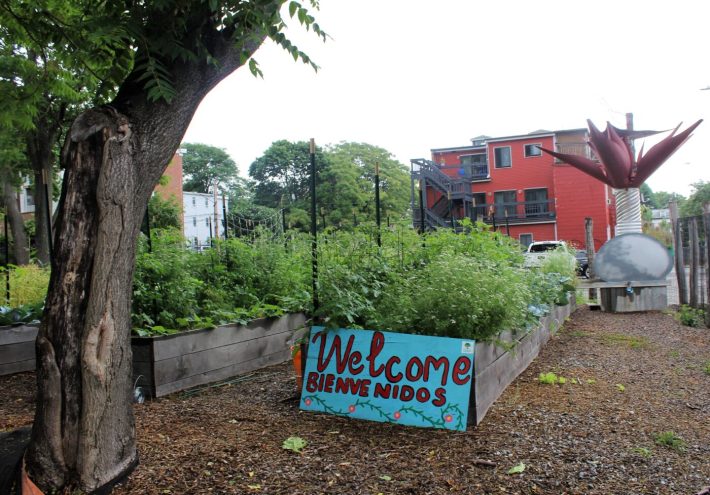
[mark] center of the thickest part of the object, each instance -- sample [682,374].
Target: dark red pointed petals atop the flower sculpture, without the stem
[617,166]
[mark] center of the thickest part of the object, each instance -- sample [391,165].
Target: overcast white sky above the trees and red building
[411,75]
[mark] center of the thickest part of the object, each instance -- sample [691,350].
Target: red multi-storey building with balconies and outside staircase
[509,183]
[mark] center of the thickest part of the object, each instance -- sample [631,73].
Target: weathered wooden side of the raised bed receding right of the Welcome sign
[498,364]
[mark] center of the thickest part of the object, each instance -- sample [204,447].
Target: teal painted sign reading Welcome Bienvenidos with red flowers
[392,377]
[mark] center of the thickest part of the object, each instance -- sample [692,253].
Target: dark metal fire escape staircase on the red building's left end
[456,196]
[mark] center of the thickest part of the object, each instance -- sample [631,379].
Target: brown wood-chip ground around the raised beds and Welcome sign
[633,417]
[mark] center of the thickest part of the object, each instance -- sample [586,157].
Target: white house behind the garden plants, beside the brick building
[199,217]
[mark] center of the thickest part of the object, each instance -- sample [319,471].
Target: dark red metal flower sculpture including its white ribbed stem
[618,167]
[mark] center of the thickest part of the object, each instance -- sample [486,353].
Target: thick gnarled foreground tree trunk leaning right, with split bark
[83,434]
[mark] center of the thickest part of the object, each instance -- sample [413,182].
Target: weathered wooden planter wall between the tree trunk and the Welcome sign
[170,363]
